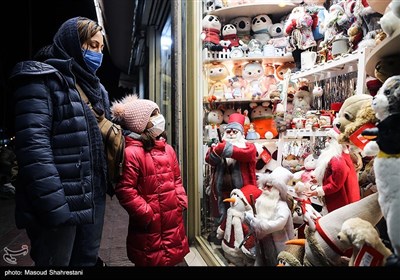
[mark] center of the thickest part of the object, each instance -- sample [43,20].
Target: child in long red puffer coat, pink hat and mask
[150,189]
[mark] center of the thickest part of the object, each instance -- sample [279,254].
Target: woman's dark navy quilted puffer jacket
[56,176]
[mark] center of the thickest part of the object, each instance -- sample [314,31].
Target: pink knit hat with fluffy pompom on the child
[133,113]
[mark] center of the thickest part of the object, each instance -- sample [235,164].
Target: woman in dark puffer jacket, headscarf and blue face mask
[61,184]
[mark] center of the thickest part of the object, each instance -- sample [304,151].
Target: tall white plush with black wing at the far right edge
[386,105]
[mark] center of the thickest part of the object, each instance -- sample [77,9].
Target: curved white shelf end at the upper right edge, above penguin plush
[389,46]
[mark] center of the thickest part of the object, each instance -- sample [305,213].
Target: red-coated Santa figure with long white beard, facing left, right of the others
[335,174]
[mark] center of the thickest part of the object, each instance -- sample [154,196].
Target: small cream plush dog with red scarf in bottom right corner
[363,237]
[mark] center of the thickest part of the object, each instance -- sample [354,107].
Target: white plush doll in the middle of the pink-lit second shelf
[252,73]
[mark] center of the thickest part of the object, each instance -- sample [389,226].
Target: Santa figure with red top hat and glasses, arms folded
[234,162]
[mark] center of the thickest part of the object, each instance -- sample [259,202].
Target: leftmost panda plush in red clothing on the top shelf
[211,33]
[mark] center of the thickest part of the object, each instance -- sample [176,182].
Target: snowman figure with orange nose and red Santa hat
[238,242]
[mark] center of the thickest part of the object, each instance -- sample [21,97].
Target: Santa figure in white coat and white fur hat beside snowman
[272,222]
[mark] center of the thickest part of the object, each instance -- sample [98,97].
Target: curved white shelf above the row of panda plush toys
[275,8]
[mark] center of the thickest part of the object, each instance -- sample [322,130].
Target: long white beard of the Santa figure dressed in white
[266,203]
